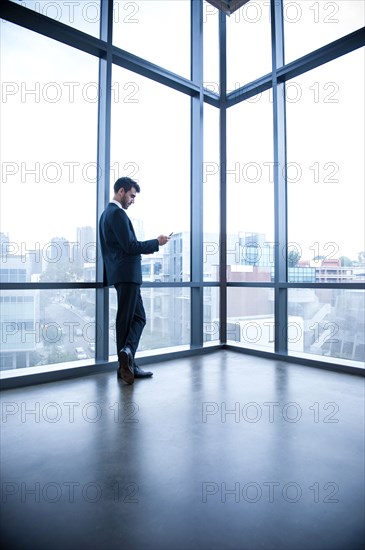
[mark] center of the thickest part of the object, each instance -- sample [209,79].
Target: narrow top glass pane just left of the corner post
[211,47]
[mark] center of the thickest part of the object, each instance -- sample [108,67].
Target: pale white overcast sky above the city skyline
[49,121]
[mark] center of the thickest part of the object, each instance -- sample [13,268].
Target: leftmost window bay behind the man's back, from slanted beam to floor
[48,194]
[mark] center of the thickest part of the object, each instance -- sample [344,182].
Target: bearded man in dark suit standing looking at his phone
[122,268]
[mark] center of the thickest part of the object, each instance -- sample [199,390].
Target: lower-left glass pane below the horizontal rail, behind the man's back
[42,327]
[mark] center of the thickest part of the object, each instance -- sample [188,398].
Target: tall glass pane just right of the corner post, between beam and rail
[250,198]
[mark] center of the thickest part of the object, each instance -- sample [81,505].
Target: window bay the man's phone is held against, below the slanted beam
[150,135]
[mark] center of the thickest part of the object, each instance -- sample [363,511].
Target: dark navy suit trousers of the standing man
[131,316]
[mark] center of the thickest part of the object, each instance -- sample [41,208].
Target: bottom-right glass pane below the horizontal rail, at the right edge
[328,323]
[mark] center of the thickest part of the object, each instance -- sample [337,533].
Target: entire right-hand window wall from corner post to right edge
[313,173]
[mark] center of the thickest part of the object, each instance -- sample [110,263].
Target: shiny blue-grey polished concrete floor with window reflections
[221,451]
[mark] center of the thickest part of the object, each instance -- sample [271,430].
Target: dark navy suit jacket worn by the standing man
[120,249]
